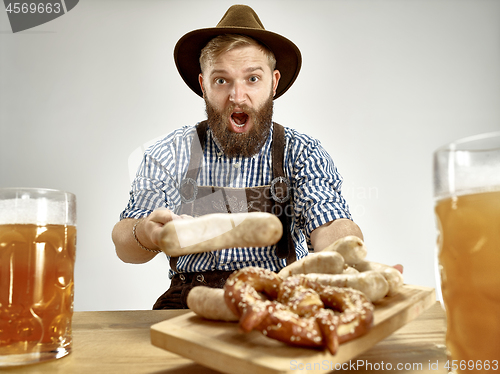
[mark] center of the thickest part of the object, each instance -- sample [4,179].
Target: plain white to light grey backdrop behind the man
[383,84]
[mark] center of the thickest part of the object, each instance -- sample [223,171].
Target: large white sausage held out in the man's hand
[217,231]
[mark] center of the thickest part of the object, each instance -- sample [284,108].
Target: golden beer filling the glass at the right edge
[469,259]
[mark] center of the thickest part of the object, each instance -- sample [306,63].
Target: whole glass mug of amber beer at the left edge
[37,257]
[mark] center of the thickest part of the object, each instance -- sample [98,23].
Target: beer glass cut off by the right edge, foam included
[467,207]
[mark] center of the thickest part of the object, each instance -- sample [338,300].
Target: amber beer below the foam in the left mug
[36,293]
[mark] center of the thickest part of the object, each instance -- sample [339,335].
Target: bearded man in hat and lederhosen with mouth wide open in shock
[237,160]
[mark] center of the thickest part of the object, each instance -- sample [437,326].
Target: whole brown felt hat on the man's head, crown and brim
[239,19]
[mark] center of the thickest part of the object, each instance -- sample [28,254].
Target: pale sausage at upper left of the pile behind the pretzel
[322,262]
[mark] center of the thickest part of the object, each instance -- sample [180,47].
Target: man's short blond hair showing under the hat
[227,42]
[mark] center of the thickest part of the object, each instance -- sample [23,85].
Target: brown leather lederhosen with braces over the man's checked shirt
[276,198]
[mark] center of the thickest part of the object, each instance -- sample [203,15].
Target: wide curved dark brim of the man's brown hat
[188,48]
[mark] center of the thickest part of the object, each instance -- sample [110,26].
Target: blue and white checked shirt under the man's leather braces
[314,179]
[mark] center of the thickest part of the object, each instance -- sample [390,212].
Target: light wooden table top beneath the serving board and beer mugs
[119,342]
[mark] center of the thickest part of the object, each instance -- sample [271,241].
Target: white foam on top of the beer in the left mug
[35,211]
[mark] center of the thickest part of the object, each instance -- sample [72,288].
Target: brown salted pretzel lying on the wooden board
[297,310]
